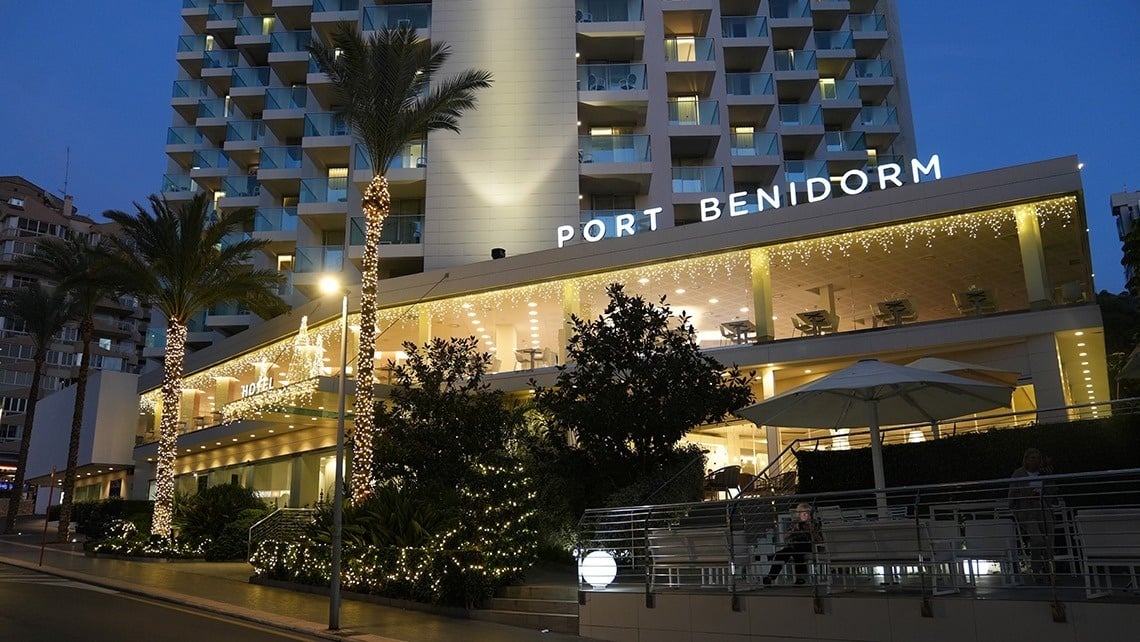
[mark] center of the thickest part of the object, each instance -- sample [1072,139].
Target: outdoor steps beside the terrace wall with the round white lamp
[540,607]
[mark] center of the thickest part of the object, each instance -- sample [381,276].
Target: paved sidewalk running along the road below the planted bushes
[224,589]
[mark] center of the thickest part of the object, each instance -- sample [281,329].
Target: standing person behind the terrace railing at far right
[1032,501]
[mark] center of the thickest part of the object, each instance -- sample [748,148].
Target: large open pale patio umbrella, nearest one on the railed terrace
[875,394]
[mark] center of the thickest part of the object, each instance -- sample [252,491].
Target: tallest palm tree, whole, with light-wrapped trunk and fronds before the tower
[390,94]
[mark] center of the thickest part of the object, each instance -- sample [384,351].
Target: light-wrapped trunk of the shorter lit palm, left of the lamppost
[168,429]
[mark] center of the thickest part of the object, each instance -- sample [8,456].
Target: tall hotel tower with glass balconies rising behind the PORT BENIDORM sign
[600,111]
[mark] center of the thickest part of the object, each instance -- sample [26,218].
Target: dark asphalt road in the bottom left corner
[36,607]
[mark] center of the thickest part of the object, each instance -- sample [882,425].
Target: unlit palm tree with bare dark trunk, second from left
[82,267]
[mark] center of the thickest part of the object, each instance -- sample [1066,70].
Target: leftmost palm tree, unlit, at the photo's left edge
[44,313]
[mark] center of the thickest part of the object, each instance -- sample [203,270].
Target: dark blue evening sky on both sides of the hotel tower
[992,84]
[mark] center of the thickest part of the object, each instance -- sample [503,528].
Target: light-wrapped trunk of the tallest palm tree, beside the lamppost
[377,205]
